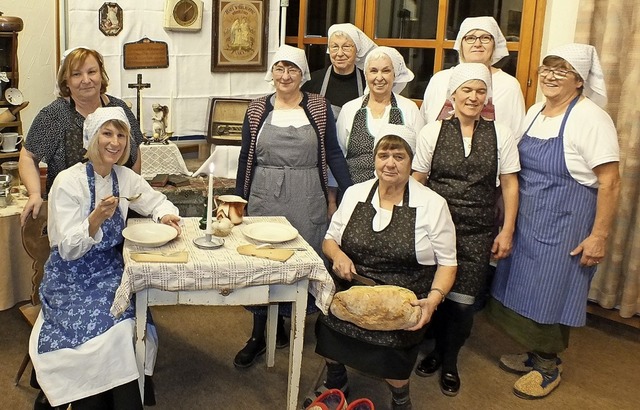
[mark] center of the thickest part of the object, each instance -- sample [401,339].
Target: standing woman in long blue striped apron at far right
[569,187]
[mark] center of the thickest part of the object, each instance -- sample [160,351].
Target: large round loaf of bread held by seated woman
[383,307]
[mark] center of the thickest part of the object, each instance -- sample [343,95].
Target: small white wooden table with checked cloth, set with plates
[224,277]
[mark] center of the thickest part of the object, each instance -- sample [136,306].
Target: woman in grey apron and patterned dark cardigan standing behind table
[288,144]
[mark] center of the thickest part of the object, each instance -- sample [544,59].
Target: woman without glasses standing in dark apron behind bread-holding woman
[465,159]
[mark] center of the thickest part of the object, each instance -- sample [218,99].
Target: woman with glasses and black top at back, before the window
[343,80]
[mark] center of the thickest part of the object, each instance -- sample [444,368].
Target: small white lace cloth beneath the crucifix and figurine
[162,159]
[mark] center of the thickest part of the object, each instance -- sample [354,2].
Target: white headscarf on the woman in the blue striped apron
[584,58]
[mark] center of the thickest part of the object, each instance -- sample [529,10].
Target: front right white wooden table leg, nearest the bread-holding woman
[298,313]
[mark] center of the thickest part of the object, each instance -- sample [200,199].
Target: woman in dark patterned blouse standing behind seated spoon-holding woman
[55,137]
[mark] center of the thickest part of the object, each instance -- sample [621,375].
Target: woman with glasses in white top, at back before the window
[479,41]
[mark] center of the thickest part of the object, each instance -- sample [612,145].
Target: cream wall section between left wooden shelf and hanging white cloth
[36,52]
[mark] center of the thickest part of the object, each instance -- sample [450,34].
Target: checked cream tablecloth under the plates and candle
[222,268]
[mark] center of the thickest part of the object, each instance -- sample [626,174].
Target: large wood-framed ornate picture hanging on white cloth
[239,36]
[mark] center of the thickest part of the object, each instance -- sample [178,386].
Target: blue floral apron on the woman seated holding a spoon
[77,294]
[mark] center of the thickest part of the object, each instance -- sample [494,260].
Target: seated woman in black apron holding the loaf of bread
[395,231]
